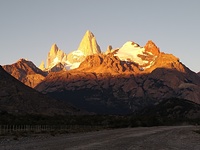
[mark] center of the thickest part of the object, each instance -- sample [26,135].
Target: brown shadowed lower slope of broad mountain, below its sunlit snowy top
[108,93]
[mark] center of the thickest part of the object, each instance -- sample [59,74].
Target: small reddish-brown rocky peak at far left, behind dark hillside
[26,72]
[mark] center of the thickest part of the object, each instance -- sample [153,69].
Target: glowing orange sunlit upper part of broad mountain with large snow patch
[132,58]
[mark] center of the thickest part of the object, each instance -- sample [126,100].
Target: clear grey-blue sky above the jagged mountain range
[28,28]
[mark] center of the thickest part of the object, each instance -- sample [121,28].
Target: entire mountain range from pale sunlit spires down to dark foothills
[121,80]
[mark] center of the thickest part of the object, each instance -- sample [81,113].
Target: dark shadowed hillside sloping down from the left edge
[17,98]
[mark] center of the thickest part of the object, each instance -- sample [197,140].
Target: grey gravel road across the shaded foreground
[162,138]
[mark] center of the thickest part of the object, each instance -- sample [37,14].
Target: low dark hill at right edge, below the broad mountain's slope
[173,108]
